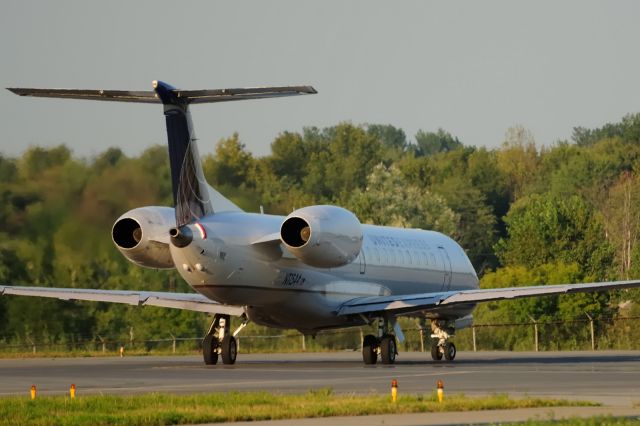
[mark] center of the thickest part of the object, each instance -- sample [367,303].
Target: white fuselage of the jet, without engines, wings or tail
[279,290]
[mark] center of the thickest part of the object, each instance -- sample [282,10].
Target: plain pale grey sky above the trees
[473,68]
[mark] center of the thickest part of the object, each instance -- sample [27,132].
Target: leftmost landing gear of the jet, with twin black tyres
[219,342]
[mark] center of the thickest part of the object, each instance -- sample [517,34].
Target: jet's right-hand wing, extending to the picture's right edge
[411,303]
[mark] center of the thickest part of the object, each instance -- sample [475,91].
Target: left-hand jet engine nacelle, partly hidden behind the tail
[142,236]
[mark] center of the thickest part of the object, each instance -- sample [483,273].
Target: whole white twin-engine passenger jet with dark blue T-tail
[314,269]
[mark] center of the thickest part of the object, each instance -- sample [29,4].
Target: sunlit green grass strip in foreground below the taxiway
[163,409]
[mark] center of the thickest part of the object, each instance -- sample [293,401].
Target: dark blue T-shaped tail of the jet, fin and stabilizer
[193,197]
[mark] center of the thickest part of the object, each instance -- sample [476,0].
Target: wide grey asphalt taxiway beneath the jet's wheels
[612,378]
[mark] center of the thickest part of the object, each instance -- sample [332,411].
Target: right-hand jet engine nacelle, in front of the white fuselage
[322,236]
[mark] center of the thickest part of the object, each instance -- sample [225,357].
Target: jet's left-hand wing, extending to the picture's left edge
[185,301]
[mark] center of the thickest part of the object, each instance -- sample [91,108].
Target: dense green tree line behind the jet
[525,213]
